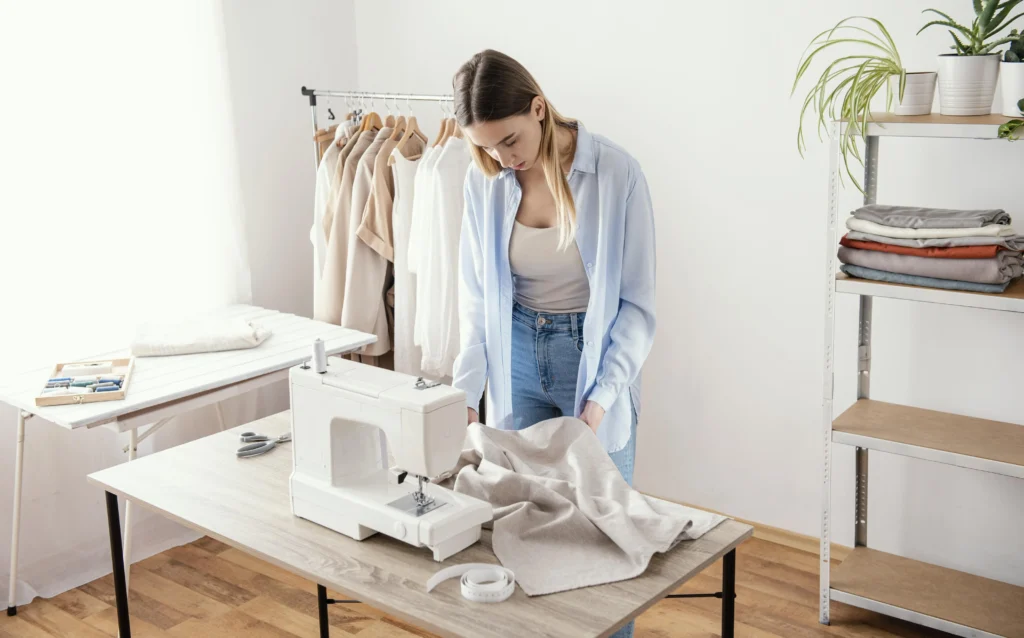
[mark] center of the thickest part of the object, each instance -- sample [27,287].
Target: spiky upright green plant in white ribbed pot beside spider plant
[968,77]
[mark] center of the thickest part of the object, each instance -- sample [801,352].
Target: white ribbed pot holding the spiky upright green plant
[967,83]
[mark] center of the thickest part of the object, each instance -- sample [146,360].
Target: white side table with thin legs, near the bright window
[163,388]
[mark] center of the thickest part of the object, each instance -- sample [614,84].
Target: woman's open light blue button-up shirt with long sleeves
[616,238]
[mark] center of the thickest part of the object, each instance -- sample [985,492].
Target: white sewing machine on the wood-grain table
[342,478]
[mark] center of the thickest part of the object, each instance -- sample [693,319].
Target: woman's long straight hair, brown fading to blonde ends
[493,87]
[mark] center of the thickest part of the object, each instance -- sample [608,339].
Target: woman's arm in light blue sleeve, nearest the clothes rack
[471,370]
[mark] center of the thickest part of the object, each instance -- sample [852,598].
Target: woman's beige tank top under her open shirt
[547,280]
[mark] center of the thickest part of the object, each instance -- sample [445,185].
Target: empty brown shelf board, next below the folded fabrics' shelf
[940,437]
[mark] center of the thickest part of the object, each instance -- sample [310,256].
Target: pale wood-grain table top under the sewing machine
[245,503]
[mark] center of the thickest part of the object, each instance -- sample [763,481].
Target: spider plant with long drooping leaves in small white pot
[845,90]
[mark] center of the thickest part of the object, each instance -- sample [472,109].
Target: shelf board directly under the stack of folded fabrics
[1010,302]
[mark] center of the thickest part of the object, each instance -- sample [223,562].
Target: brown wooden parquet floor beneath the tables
[208,589]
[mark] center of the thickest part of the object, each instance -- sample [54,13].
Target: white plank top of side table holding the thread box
[157,380]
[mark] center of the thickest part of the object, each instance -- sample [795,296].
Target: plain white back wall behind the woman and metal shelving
[734,387]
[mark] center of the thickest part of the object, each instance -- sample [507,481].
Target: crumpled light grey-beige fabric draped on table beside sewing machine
[565,519]
